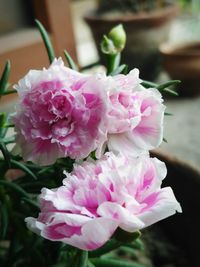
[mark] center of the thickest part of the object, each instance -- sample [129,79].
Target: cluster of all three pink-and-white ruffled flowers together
[64,113]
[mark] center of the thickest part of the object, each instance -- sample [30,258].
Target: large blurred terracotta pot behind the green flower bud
[145,32]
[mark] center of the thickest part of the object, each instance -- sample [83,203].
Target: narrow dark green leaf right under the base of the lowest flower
[109,246]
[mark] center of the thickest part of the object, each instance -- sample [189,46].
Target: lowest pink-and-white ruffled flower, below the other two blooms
[98,197]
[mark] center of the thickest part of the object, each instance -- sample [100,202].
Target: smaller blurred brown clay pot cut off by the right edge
[183,62]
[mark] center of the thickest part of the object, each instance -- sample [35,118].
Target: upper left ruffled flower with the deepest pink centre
[61,113]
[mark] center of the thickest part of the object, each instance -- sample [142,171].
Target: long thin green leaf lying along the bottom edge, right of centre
[114,263]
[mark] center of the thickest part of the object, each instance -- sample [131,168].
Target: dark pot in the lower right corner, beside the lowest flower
[182,229]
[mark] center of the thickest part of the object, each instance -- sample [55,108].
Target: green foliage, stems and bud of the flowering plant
[18,197]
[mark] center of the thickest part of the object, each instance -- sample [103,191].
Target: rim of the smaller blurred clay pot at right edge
[170,49]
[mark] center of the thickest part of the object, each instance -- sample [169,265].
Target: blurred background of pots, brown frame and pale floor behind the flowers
[163,41]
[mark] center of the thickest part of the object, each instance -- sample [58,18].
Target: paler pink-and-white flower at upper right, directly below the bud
[135,116]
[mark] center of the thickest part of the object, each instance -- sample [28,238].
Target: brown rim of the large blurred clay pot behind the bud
[165,13]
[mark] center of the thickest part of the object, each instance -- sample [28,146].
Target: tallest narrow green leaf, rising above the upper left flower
[46,40]
